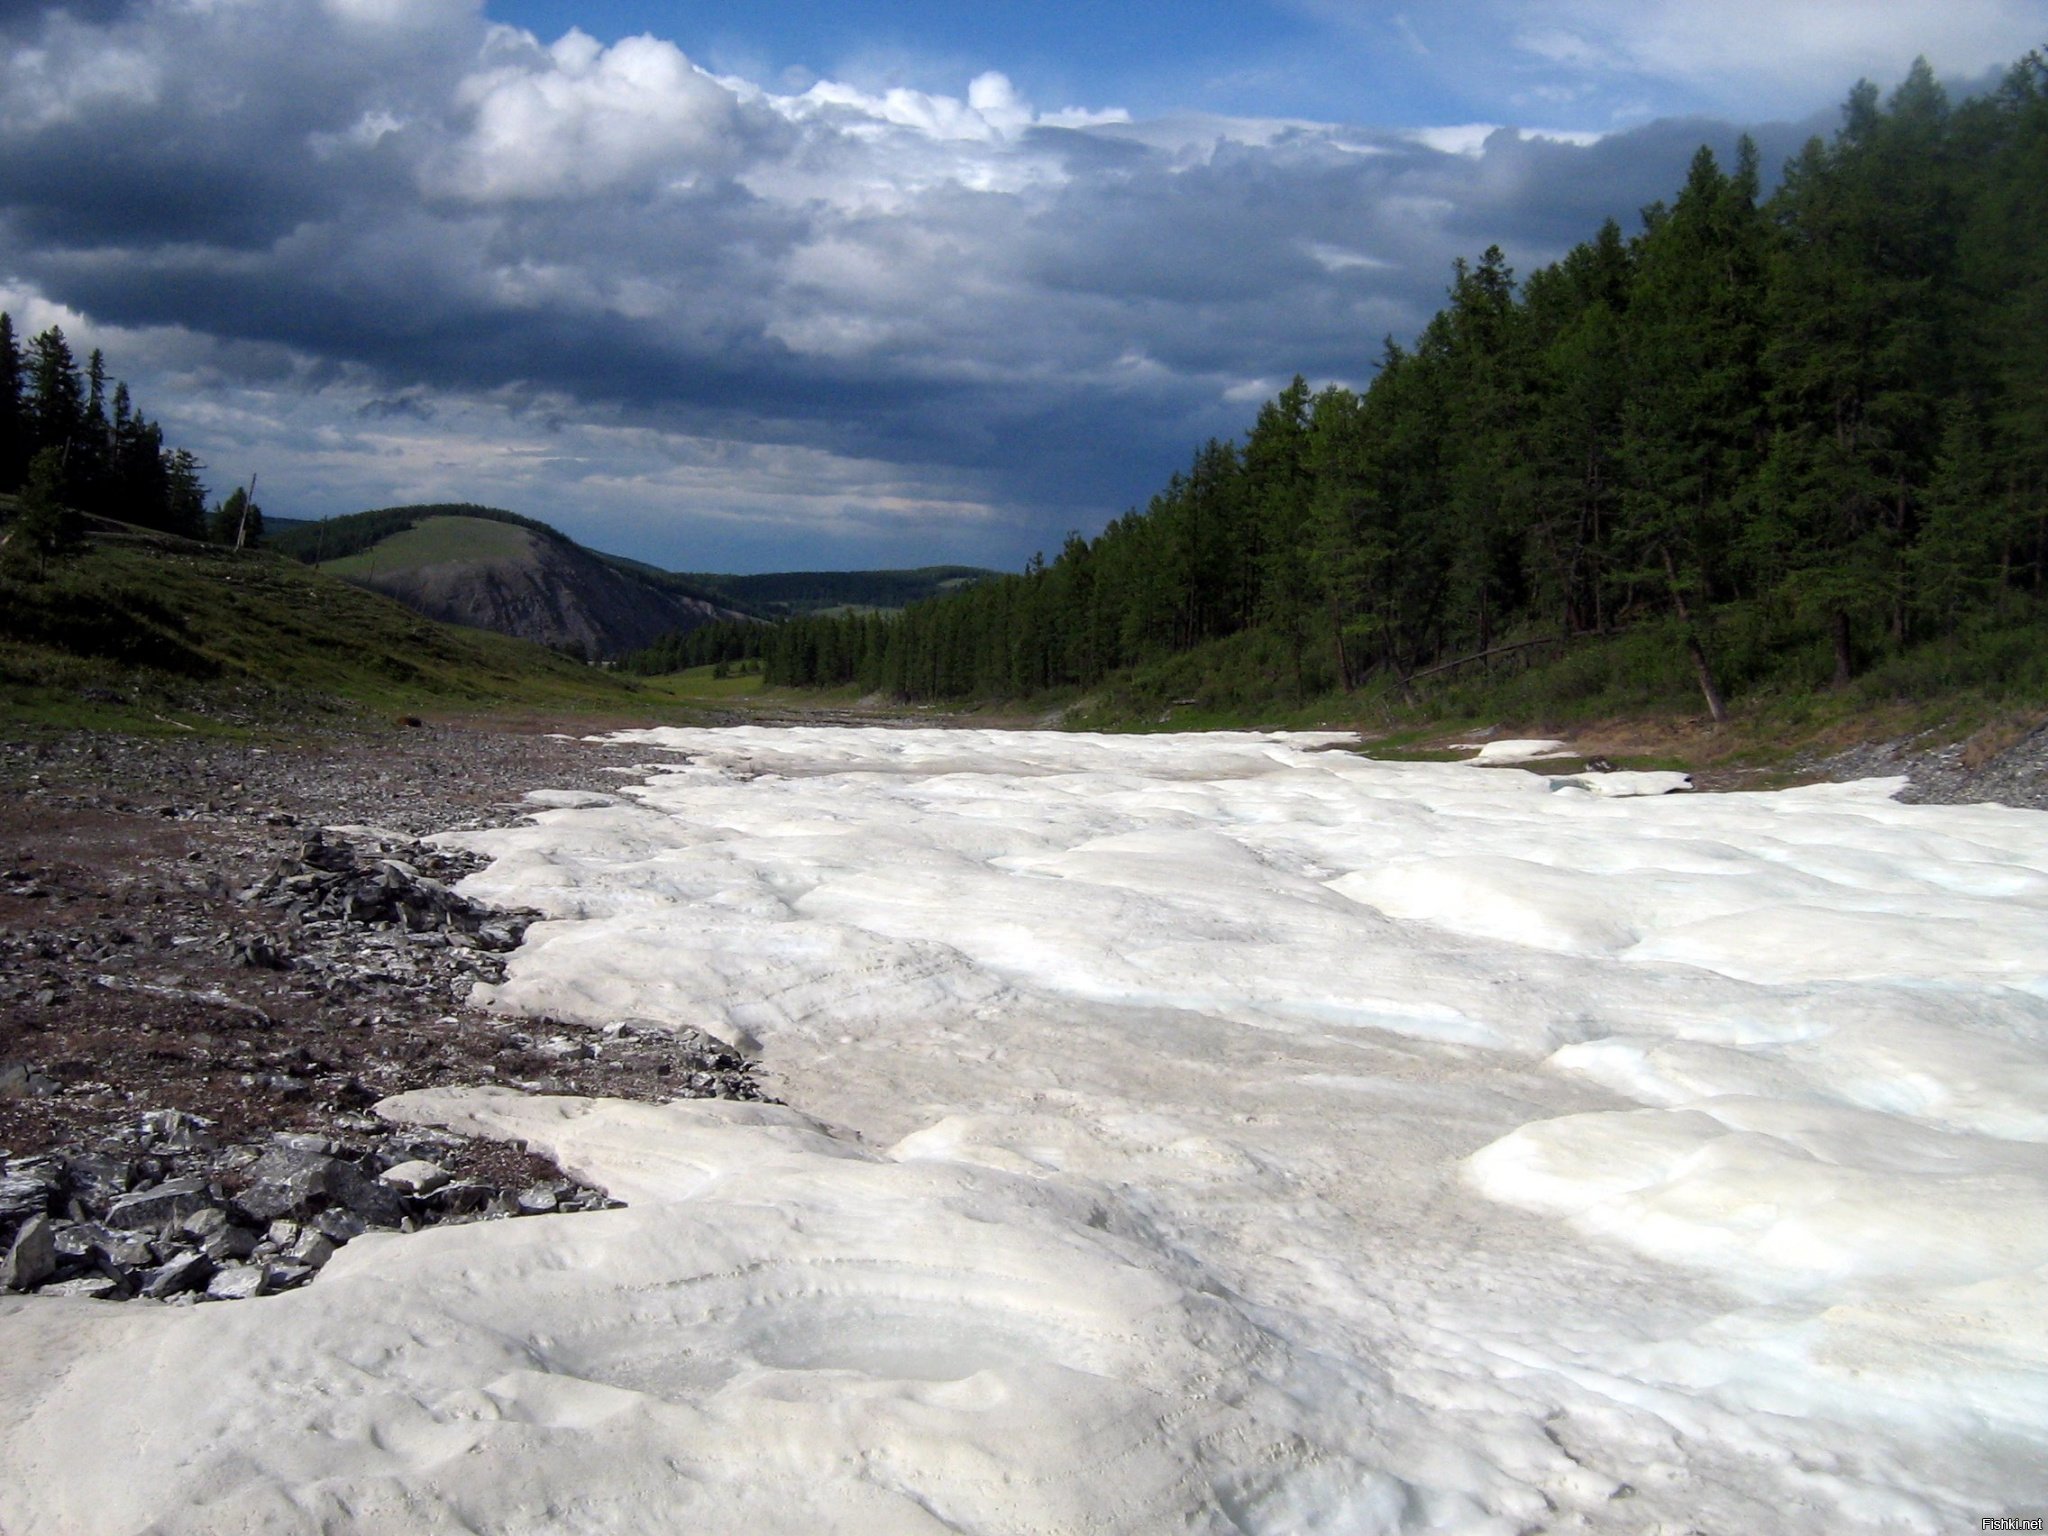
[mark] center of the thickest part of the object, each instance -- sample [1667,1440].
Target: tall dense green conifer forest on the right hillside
[1791,435]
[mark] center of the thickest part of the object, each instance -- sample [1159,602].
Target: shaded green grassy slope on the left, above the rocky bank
[146,632]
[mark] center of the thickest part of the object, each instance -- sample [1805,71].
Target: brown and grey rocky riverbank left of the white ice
[204,990]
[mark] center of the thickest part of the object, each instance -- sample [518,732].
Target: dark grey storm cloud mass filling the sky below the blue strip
[400,208]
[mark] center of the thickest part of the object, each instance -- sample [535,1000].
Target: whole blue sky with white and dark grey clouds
[802,286]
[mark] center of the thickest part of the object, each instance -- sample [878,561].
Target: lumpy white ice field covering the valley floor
[1189,1136]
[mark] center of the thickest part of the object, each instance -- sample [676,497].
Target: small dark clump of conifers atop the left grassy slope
[105,456]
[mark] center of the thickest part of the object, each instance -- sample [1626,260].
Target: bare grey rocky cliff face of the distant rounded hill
[548,593]
